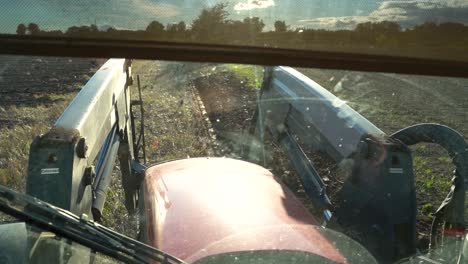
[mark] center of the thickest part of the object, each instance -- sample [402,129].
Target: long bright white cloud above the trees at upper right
[407,13]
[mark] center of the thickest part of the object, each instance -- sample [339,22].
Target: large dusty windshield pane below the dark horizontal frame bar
[309,157]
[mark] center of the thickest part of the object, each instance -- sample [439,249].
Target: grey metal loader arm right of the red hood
[303,117]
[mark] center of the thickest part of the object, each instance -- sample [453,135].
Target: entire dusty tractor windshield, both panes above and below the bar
[221,162]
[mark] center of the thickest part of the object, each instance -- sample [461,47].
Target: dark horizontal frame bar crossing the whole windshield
[172,51]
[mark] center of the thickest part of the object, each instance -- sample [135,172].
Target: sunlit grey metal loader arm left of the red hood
[94,128]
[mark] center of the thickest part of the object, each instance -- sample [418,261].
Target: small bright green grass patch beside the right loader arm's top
[251,74]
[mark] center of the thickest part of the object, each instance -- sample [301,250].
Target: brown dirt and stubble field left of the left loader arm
[34,91]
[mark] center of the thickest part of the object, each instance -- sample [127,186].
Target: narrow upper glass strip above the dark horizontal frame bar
[397,28]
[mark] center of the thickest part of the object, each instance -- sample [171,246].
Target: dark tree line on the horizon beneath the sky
[214,26]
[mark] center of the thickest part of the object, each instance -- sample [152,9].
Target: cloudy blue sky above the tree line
[136,14]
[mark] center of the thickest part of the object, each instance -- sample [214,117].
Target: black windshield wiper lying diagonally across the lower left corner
[81,230]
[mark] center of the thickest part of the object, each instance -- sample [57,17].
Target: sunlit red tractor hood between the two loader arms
[206,206]
